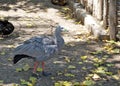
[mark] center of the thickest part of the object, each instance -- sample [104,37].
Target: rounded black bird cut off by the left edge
[6,27]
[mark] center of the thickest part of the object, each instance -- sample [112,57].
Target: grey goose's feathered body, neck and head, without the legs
[40,48]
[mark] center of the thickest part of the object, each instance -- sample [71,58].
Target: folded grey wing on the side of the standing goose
[41,48]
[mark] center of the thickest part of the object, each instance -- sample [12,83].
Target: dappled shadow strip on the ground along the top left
[26,5]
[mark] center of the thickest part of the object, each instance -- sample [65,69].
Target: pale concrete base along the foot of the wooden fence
[93,25]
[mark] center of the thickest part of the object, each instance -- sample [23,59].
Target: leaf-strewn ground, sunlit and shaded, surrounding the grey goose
[83,61]
